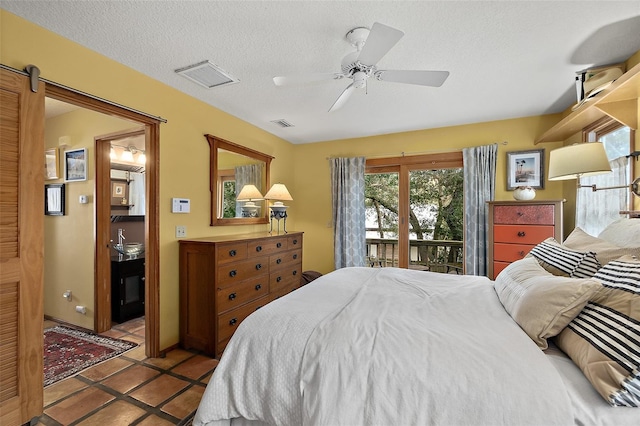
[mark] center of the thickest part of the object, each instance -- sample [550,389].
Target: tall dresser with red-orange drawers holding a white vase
[515,227]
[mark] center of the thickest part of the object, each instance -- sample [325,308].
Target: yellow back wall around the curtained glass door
[312,190]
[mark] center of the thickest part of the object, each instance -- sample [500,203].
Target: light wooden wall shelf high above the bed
[619,101]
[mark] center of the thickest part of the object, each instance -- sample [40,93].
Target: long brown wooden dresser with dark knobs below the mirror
[224,279]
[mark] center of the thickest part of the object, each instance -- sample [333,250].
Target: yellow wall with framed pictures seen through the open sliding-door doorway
[69,251]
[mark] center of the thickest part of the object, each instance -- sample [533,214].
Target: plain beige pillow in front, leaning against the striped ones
[541,303]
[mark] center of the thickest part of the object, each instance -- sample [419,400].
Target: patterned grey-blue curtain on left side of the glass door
[347,196]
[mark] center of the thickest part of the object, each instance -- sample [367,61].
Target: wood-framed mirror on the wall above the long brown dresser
[234,167]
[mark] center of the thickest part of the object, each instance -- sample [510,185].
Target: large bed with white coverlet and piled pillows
[382,346]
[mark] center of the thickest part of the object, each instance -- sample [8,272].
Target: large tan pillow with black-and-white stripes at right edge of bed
[604,339]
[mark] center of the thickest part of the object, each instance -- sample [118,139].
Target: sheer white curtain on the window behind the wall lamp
[596,210]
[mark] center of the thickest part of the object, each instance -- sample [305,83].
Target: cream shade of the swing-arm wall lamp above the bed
[584,159]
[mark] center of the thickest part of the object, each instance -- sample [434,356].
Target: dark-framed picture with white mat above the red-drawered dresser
[525,168]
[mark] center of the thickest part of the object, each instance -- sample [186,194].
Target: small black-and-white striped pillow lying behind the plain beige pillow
[560,260]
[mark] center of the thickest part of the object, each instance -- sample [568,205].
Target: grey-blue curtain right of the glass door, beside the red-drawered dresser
[479,187]
